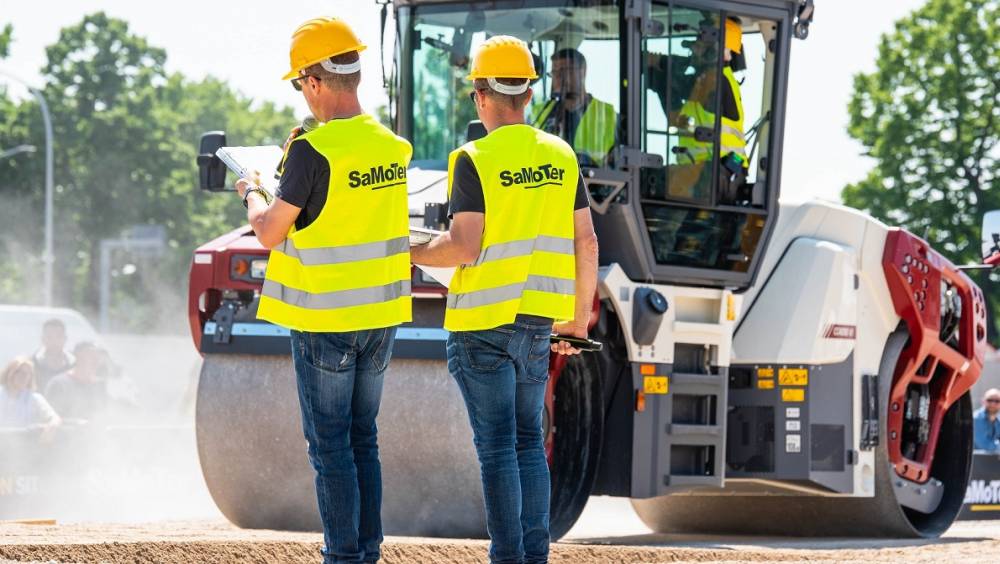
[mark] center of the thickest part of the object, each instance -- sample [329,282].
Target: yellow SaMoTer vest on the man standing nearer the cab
[526,263]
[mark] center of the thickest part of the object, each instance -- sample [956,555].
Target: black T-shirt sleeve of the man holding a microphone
[304,182]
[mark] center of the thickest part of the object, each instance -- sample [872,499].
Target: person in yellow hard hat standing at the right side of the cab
[689,102]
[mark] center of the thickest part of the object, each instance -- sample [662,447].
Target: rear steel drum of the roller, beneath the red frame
[878,516]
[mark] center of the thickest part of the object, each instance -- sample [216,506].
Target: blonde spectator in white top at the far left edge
[21,407]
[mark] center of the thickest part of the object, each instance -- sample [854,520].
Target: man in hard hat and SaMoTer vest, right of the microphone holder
[526,252]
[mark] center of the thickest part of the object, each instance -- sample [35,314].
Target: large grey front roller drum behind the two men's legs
[254,459]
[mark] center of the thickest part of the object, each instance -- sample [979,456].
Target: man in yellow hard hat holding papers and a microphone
[338,276]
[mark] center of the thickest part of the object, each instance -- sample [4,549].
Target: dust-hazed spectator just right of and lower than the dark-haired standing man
[80,393]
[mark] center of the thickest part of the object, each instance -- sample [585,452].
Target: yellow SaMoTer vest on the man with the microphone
[349,269]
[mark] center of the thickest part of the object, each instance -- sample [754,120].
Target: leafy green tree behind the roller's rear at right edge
[929,116]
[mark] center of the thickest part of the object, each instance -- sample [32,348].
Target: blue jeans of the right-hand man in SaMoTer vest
[502,374]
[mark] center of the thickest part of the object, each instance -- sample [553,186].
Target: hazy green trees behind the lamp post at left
[126,136]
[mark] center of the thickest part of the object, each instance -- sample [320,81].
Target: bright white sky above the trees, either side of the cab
[246,43]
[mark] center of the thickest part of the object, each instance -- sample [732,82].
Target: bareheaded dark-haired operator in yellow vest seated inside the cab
[586,123]
